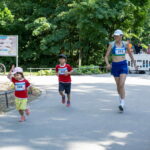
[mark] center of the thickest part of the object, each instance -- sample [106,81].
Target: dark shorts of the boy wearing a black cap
[65,87]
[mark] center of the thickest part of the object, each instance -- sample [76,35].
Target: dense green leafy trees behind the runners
[74,27]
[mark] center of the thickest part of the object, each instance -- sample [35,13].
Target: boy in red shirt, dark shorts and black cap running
[64,71]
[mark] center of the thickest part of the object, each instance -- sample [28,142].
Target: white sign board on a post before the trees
[8,45]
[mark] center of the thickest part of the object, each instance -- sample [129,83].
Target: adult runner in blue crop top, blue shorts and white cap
[119,67]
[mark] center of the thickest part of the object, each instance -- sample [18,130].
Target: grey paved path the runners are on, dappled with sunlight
[92,123]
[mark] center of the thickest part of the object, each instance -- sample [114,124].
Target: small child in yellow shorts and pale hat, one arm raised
[21,91]
